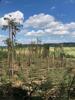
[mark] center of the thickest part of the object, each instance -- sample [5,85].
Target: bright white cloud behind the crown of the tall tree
[17,16]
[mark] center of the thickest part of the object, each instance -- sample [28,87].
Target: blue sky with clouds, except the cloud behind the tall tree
[49,20]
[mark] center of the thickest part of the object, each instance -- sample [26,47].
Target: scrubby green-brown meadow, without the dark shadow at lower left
[45,72]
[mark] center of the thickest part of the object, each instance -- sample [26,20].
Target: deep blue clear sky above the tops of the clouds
[63,10]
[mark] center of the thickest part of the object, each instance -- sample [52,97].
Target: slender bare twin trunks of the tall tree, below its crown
[10,51]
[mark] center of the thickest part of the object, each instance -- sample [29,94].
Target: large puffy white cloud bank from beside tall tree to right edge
[44,24]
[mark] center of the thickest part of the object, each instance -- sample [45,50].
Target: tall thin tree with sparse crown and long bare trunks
[13,27]
